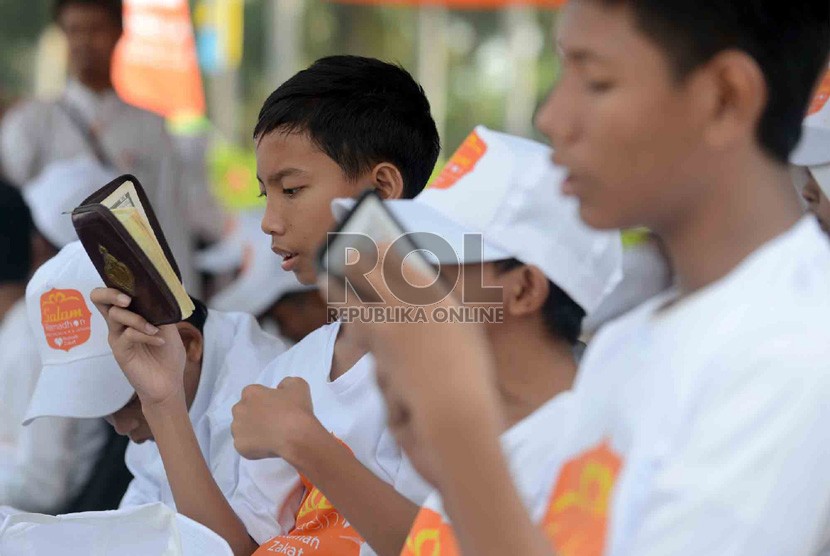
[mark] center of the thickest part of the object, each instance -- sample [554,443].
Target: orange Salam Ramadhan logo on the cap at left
[66,319]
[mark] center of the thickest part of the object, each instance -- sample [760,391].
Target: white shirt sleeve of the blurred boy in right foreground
[747,473]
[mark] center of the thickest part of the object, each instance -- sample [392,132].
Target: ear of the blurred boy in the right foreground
[740,96]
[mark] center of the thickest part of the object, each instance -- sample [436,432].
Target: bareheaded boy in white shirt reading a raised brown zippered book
[344,124]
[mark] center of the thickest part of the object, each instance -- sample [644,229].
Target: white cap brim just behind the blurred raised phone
[415,217]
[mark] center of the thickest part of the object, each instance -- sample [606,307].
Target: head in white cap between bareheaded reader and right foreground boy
[543,268]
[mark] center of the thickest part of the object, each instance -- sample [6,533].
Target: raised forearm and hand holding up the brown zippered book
[153,361]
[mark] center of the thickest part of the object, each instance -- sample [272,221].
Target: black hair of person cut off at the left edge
[16,228]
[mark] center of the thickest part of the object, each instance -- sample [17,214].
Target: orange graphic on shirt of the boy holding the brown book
[319,530]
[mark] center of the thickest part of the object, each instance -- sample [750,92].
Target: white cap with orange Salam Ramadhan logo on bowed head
[80,376]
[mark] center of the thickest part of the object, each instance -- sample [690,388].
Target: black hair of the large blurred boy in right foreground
[790,41]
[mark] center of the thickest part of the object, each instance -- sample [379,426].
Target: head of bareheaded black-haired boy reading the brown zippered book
[343,125]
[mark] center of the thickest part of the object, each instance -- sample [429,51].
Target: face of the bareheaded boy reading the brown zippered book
[300,181]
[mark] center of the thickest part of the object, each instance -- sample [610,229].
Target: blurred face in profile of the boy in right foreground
[626,129]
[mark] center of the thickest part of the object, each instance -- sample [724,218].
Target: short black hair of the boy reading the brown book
[360,112]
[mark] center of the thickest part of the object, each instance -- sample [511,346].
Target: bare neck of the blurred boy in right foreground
[739,212]
